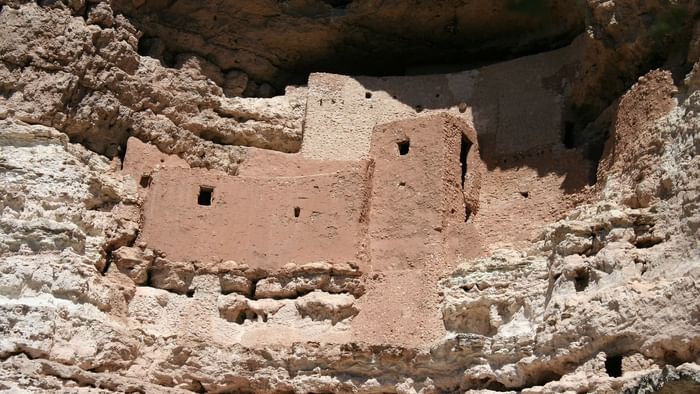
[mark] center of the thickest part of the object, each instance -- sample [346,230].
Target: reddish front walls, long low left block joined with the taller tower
[417,202]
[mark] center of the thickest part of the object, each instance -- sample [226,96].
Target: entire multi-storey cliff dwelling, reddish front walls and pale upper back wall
[384,181]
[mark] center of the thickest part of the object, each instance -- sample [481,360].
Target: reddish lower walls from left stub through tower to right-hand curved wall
[409,223]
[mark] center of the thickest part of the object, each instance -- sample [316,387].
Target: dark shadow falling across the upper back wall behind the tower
[538,139]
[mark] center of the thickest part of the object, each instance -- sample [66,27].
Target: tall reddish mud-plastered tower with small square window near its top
[417,196]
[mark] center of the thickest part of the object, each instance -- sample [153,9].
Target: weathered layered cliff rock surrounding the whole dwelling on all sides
[605,299]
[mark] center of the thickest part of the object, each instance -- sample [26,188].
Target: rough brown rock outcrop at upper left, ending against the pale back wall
[87,80]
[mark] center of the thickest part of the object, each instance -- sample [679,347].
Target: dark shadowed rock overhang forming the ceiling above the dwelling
[275,41]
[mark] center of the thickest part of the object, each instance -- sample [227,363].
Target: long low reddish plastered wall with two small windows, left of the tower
[252,219]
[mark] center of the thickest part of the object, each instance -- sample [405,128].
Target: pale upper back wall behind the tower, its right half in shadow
[513,106]
